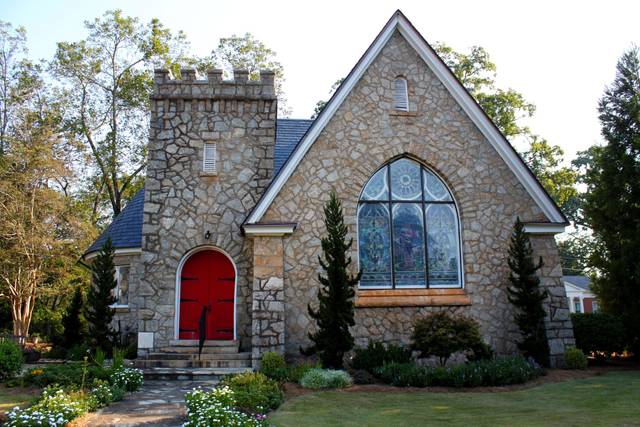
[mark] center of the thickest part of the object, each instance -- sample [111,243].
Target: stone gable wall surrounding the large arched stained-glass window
[365,133]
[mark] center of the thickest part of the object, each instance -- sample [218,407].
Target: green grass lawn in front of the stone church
[611,399]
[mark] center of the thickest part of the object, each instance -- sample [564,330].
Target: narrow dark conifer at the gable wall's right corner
[527,296]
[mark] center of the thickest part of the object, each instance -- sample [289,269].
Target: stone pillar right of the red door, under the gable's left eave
[268,297]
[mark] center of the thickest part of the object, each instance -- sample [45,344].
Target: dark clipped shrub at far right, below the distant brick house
[598,332]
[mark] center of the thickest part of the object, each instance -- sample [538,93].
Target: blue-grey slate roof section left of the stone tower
[126,229]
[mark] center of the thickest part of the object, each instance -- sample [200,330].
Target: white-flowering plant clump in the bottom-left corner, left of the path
[54,409]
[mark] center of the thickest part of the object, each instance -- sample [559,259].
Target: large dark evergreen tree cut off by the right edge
[612,202]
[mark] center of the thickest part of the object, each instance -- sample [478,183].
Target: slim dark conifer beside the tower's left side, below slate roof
[100,298]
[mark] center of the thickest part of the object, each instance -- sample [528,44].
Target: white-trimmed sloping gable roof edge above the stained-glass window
[400,23]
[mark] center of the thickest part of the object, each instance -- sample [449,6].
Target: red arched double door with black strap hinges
[207,284]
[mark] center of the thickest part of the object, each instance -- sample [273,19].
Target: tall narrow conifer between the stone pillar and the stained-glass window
[335,313]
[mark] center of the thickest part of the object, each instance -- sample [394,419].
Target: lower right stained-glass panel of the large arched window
[442,241]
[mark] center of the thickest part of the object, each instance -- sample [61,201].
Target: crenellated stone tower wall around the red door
[182,204]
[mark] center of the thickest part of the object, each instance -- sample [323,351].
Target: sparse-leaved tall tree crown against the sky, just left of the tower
[108,77]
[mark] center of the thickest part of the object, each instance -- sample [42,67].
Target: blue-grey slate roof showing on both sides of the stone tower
[126,229]
